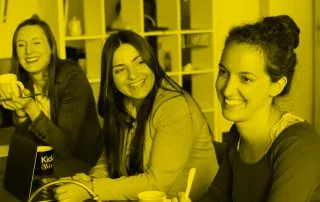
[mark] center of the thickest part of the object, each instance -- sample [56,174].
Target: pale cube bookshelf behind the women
[181,31]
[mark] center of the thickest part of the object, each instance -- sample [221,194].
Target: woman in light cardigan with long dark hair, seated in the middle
[154,131]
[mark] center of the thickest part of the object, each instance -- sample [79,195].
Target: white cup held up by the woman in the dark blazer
[10,82]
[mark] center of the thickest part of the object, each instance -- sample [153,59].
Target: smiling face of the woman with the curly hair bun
[244,88]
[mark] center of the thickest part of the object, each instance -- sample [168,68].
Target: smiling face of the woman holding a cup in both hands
[33,49]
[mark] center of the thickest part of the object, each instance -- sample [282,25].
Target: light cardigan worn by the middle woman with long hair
[177,139]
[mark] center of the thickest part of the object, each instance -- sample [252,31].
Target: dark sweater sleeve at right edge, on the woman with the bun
[296,166]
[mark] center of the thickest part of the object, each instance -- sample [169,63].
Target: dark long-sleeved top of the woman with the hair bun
[288,172]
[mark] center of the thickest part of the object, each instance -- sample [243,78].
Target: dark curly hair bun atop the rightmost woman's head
[284,28]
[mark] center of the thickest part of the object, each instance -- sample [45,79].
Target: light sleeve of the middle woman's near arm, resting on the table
[173,136]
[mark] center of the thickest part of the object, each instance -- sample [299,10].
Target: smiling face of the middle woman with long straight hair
[131,75]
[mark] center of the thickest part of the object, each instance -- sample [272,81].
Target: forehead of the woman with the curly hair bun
[243,58]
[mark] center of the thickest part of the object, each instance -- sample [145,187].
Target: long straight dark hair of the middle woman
[111,108]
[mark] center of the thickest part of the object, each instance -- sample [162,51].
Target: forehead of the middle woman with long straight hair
[125,53]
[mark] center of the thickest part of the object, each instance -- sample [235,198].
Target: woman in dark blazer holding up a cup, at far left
[64,116]
